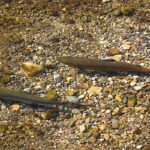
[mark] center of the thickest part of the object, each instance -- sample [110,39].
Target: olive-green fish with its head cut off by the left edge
[8,94]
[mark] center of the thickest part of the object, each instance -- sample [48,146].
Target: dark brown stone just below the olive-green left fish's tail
[49,114]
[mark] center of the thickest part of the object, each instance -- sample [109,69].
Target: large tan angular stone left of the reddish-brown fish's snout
[30,69]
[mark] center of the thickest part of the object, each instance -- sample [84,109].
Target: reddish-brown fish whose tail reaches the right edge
[102,65]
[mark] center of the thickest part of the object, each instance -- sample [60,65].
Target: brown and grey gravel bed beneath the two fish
[39,32]
